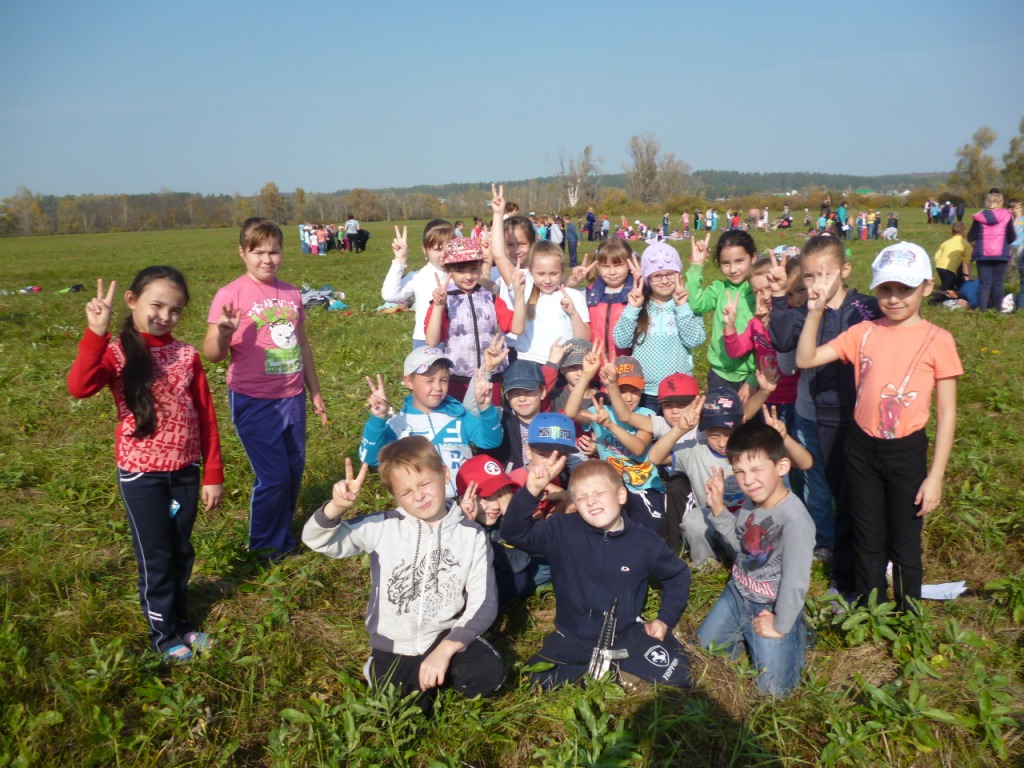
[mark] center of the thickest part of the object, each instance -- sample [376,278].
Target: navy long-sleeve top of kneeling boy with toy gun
[591,568]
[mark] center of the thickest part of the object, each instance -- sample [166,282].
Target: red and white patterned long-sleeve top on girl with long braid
[187,423]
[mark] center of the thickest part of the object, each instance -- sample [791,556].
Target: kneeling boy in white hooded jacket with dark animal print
[432,565]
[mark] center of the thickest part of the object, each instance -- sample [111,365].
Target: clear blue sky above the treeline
[217,97]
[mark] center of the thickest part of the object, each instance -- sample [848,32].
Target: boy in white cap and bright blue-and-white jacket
[430,411]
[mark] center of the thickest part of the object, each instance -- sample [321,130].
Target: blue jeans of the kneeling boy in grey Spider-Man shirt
[779,661]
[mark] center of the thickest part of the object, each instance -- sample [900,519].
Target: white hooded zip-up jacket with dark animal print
[424,581]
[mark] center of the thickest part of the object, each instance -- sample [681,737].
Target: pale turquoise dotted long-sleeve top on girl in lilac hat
[673,333]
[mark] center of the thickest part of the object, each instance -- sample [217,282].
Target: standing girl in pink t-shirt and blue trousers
[260,320]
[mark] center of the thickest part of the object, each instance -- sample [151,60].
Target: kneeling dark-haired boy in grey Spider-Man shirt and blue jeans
[773,539]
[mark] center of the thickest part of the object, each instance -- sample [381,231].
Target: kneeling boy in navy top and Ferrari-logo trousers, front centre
[599,558]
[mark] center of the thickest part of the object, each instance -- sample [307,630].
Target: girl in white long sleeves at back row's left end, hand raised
[400,288]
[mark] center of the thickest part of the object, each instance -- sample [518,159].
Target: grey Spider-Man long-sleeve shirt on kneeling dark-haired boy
[774,549]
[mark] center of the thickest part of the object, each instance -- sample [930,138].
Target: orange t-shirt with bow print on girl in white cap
[895,371]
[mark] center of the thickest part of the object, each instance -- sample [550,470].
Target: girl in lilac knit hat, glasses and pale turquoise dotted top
[659,325]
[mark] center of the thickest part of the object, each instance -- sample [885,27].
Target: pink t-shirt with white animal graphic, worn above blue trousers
[267,359]
